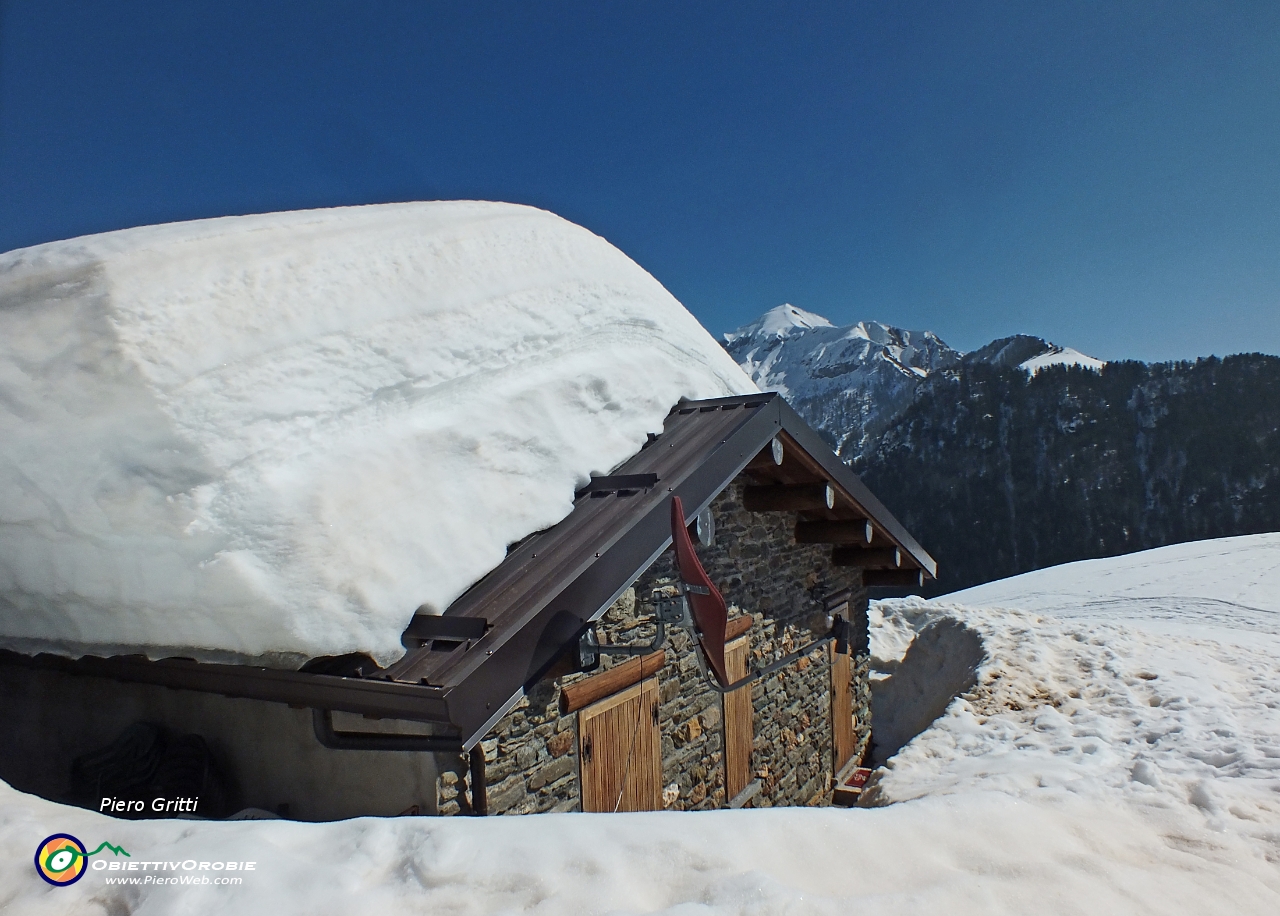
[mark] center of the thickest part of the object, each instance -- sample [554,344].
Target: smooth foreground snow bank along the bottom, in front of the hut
[979,855]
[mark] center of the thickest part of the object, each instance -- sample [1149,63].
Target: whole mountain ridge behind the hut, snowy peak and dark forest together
[1022,454]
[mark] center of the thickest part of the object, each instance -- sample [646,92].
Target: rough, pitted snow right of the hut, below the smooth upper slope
[1105,711]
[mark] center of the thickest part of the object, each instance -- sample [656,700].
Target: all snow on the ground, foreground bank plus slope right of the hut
[1116,750]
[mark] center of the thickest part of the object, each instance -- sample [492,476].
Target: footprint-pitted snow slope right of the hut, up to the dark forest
[1148,680]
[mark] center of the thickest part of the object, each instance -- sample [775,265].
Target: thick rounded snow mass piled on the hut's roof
[276,437]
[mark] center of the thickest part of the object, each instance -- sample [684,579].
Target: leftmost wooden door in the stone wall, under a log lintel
[620,752]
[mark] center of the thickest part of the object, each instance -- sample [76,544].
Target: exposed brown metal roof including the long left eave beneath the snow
[559,581]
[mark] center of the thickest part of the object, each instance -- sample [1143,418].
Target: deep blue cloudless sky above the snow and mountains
[1104,175]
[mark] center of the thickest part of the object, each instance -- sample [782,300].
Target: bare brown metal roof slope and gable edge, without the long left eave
[556,583]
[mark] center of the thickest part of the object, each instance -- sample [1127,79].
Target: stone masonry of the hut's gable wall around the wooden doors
[531,755]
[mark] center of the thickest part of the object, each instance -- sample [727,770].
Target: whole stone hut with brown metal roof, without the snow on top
[563,681]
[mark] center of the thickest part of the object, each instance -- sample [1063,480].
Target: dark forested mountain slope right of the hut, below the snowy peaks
[998,471]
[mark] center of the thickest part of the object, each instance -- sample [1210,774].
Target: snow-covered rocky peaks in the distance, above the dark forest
[853,382]
